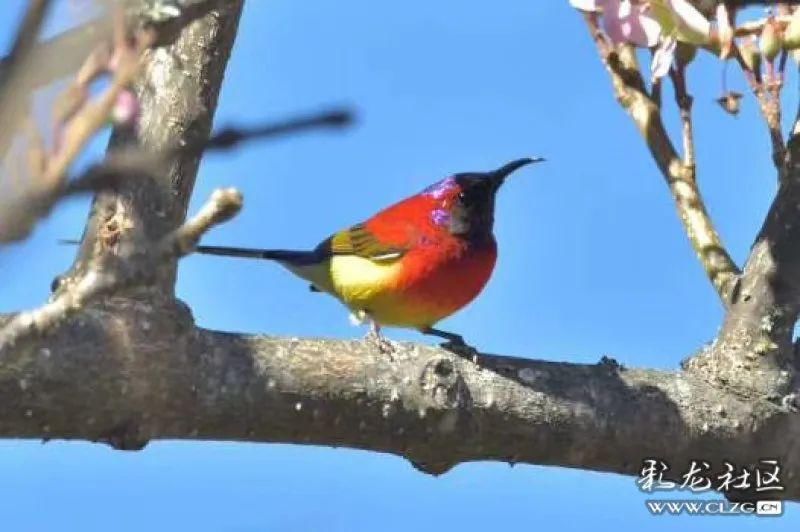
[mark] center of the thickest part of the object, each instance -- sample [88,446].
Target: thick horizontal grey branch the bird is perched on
[146,373]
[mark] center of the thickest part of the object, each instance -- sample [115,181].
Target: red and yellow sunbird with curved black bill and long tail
[412,264]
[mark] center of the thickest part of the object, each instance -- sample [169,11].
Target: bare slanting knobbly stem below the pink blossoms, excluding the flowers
[631,92]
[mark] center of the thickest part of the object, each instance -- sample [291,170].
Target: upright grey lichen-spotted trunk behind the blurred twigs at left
[178,90]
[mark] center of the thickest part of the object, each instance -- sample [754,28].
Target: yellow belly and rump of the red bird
[369,287]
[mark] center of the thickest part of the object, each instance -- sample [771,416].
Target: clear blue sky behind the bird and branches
[593,260]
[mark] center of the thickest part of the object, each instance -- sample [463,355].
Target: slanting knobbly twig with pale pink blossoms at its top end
[617,28]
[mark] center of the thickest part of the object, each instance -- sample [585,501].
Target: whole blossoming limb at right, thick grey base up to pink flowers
[762,299]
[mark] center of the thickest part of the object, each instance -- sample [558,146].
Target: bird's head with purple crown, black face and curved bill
[465,203]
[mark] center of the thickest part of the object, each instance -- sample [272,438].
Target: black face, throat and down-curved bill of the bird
[472,215]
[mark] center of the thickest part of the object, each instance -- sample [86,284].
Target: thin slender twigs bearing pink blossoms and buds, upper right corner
[675,31]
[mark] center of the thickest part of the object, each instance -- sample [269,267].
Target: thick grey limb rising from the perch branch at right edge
[754,351]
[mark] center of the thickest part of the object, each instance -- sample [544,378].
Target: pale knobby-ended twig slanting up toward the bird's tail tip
[223,205]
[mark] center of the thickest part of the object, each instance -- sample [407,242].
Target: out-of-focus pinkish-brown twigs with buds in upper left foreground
[108,48]
